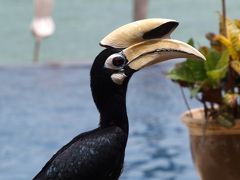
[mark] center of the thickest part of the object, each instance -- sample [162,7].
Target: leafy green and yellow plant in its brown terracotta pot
[214,129]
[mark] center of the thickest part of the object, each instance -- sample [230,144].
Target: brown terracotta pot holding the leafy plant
[215,151]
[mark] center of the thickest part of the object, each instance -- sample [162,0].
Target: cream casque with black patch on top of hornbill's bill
[139,31]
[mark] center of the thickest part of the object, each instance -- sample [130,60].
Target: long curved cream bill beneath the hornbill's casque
[157,50]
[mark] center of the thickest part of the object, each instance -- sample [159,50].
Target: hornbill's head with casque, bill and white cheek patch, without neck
[137,45]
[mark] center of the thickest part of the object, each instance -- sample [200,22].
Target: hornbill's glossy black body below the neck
[94,155]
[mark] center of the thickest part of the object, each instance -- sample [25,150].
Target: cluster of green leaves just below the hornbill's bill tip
[201,73]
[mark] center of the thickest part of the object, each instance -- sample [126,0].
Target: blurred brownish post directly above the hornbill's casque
[140,9]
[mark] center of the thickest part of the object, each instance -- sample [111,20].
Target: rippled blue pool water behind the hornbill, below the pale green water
[42,108]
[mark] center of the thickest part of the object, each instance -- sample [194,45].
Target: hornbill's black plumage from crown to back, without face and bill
[97,154]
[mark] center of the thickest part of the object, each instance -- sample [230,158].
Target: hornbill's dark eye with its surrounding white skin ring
[115,62]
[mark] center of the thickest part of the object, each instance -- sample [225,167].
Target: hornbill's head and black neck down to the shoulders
[129,49]
